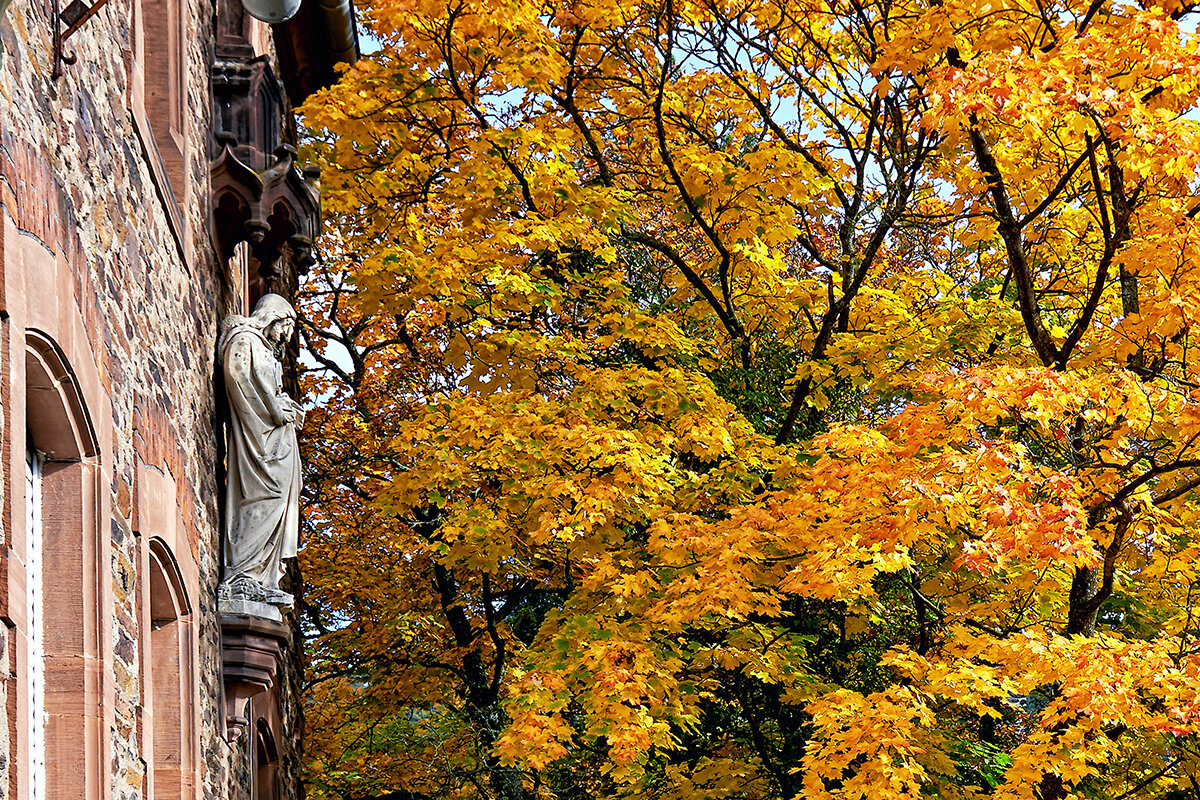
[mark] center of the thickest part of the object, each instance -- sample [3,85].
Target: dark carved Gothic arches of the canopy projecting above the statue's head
[278,210]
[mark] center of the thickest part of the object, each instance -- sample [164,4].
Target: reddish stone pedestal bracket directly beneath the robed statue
[253,641]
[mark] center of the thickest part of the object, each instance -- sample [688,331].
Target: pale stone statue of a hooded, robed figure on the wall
[263,491]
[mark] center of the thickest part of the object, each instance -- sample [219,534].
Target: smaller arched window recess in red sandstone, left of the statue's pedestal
[169,671]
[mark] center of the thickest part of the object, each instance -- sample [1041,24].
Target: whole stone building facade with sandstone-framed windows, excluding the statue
[148,189]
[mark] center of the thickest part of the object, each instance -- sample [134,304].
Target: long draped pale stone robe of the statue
[263,491]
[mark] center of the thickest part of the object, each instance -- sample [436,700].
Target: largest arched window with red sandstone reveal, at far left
[65,570]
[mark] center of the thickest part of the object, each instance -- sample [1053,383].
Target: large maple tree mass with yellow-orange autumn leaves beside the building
[758,400]
